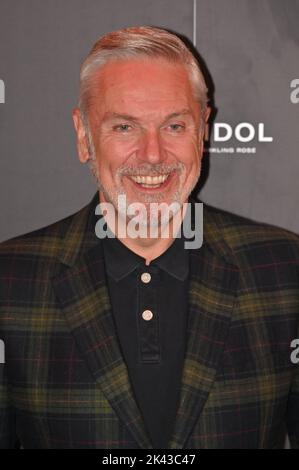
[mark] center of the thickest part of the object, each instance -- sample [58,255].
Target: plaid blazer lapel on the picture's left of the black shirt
[83,295]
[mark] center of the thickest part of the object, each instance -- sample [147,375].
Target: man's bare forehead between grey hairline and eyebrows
[141,82]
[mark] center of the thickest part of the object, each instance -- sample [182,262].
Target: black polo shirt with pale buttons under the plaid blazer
[150,305]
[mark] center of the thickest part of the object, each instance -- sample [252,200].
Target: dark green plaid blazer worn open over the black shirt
[65,384]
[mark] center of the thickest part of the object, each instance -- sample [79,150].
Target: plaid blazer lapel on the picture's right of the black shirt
[212,291]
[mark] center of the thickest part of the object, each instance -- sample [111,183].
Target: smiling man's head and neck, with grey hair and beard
[145,145]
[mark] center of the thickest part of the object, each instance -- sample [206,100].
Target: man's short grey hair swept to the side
[135,42]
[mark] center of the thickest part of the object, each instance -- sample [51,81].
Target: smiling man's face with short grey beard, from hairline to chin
[146,131]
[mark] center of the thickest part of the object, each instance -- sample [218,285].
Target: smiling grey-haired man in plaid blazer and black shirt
[137,342]
